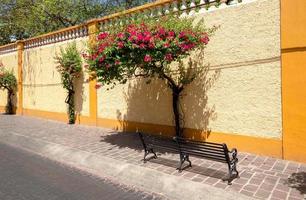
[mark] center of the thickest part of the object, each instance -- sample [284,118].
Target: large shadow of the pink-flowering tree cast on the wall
[149,106]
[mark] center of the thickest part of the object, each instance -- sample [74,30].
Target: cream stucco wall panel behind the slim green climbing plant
[42,83]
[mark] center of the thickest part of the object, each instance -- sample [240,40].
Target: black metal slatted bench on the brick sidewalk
[185,148]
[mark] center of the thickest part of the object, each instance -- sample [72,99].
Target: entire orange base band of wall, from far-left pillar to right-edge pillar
[257,145]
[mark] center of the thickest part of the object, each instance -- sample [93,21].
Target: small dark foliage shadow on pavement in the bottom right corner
[298,181]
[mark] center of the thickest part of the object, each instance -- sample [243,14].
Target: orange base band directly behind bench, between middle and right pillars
[257,145]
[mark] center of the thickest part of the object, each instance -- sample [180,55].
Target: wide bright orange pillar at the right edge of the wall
[293,31]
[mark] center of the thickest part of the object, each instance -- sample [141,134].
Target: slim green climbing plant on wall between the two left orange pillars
[70,67]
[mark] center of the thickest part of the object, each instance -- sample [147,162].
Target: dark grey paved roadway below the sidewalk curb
[27,176]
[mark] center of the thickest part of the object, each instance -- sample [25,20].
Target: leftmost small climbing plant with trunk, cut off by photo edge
[8,82]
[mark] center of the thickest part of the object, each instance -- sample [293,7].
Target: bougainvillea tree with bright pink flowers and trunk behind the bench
[146,48]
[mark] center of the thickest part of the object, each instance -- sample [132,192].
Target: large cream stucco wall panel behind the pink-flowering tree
[242,94]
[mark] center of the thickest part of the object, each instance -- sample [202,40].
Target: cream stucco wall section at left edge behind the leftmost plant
[10,62]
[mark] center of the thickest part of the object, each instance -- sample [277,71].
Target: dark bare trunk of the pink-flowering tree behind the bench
[176,111]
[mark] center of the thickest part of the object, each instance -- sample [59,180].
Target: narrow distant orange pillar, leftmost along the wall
[20,49]
